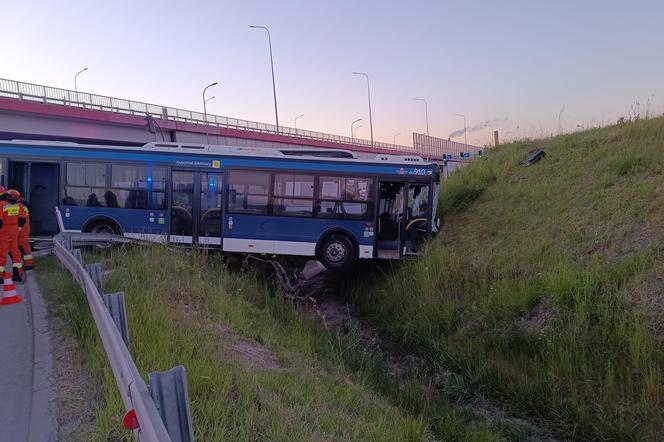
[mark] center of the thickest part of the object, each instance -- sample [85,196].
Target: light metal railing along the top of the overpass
[66,97]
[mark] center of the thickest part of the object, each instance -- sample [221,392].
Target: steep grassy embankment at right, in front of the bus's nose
[545,290]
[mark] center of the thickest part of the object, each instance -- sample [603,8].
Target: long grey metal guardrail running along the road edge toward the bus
[135,394]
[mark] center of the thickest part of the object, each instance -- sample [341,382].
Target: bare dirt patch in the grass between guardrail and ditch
[250,353]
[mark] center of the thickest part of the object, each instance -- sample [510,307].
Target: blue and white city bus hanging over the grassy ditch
[321,203]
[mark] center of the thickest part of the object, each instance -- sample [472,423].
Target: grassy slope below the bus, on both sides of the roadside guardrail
[258,369]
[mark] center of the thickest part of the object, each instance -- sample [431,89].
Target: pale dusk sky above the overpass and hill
[516,63]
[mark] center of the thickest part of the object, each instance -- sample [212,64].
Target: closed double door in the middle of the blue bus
[196,203]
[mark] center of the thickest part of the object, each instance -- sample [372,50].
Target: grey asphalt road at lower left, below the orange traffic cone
[27,398]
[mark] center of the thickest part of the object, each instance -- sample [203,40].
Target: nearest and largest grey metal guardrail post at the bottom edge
[171,396]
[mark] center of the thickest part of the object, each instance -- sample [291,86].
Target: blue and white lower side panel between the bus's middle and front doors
[289,235]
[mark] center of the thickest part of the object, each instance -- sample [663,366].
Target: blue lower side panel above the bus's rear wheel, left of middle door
[151,224]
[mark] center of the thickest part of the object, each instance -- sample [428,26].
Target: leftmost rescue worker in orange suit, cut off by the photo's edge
[10,220]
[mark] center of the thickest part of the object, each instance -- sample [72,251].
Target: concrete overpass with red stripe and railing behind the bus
[31,111]
